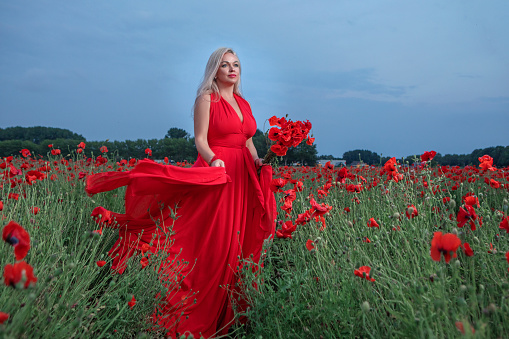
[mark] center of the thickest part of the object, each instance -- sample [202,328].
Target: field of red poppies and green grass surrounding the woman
[370,251]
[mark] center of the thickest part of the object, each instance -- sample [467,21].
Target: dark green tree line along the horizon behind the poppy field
[178,145]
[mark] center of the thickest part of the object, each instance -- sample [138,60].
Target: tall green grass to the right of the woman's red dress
[315,294]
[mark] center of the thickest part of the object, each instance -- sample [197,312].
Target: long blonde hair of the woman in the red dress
[208,84]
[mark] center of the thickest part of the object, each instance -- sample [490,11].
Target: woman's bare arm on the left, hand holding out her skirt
[201,127]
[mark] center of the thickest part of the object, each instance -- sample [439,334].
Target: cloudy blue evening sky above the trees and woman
[396,77]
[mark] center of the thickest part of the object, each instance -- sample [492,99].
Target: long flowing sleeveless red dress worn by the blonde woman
[224,214]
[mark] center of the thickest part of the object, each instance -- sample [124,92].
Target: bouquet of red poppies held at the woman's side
[286,134]
